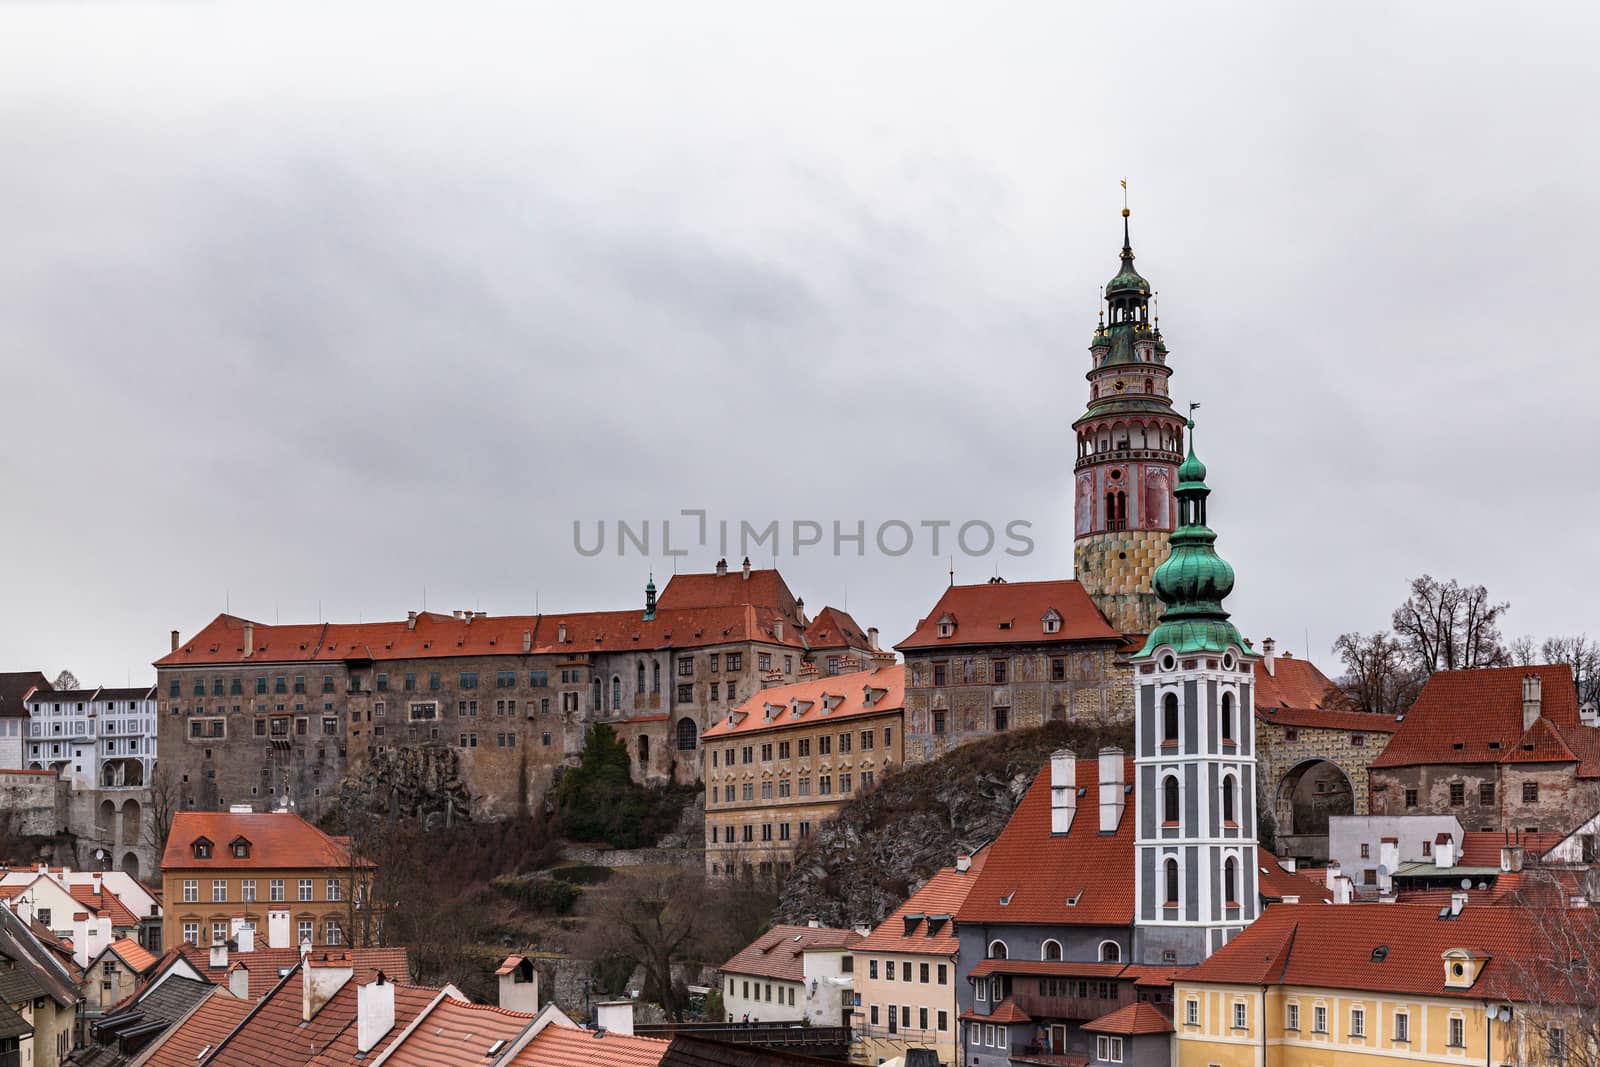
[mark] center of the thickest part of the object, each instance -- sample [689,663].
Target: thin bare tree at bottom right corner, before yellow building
[1553,985]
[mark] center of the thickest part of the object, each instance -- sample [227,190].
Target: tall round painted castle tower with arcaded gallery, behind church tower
[1130,442]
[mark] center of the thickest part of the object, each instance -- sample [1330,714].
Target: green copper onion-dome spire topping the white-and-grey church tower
[1194,580]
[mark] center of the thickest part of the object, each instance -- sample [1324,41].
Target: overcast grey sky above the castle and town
[308,308]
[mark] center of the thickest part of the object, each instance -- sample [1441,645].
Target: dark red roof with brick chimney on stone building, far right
[1481,711]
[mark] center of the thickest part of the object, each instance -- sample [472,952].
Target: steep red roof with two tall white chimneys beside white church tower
[1036,873]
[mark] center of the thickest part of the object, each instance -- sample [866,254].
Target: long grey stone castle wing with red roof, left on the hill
[254,714]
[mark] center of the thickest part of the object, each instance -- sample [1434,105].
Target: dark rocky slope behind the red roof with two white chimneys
[887,842]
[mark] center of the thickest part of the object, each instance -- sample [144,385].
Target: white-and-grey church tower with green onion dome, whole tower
[1196,882]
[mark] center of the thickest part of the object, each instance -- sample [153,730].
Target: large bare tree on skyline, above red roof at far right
[1449,626]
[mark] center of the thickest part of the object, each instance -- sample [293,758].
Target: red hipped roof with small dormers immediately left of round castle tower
[1012,613]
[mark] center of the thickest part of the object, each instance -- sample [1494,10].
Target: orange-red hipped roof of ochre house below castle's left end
[278,841]
